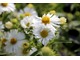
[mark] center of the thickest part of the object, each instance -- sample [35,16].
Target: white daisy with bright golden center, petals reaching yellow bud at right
[50,19]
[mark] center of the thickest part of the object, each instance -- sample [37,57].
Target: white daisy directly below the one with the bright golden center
[44,33]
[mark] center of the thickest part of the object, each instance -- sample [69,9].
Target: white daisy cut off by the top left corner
[7,7]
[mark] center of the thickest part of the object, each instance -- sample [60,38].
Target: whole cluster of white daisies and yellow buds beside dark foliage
[23,32]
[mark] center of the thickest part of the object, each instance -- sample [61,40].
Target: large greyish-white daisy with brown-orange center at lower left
[14,41]
